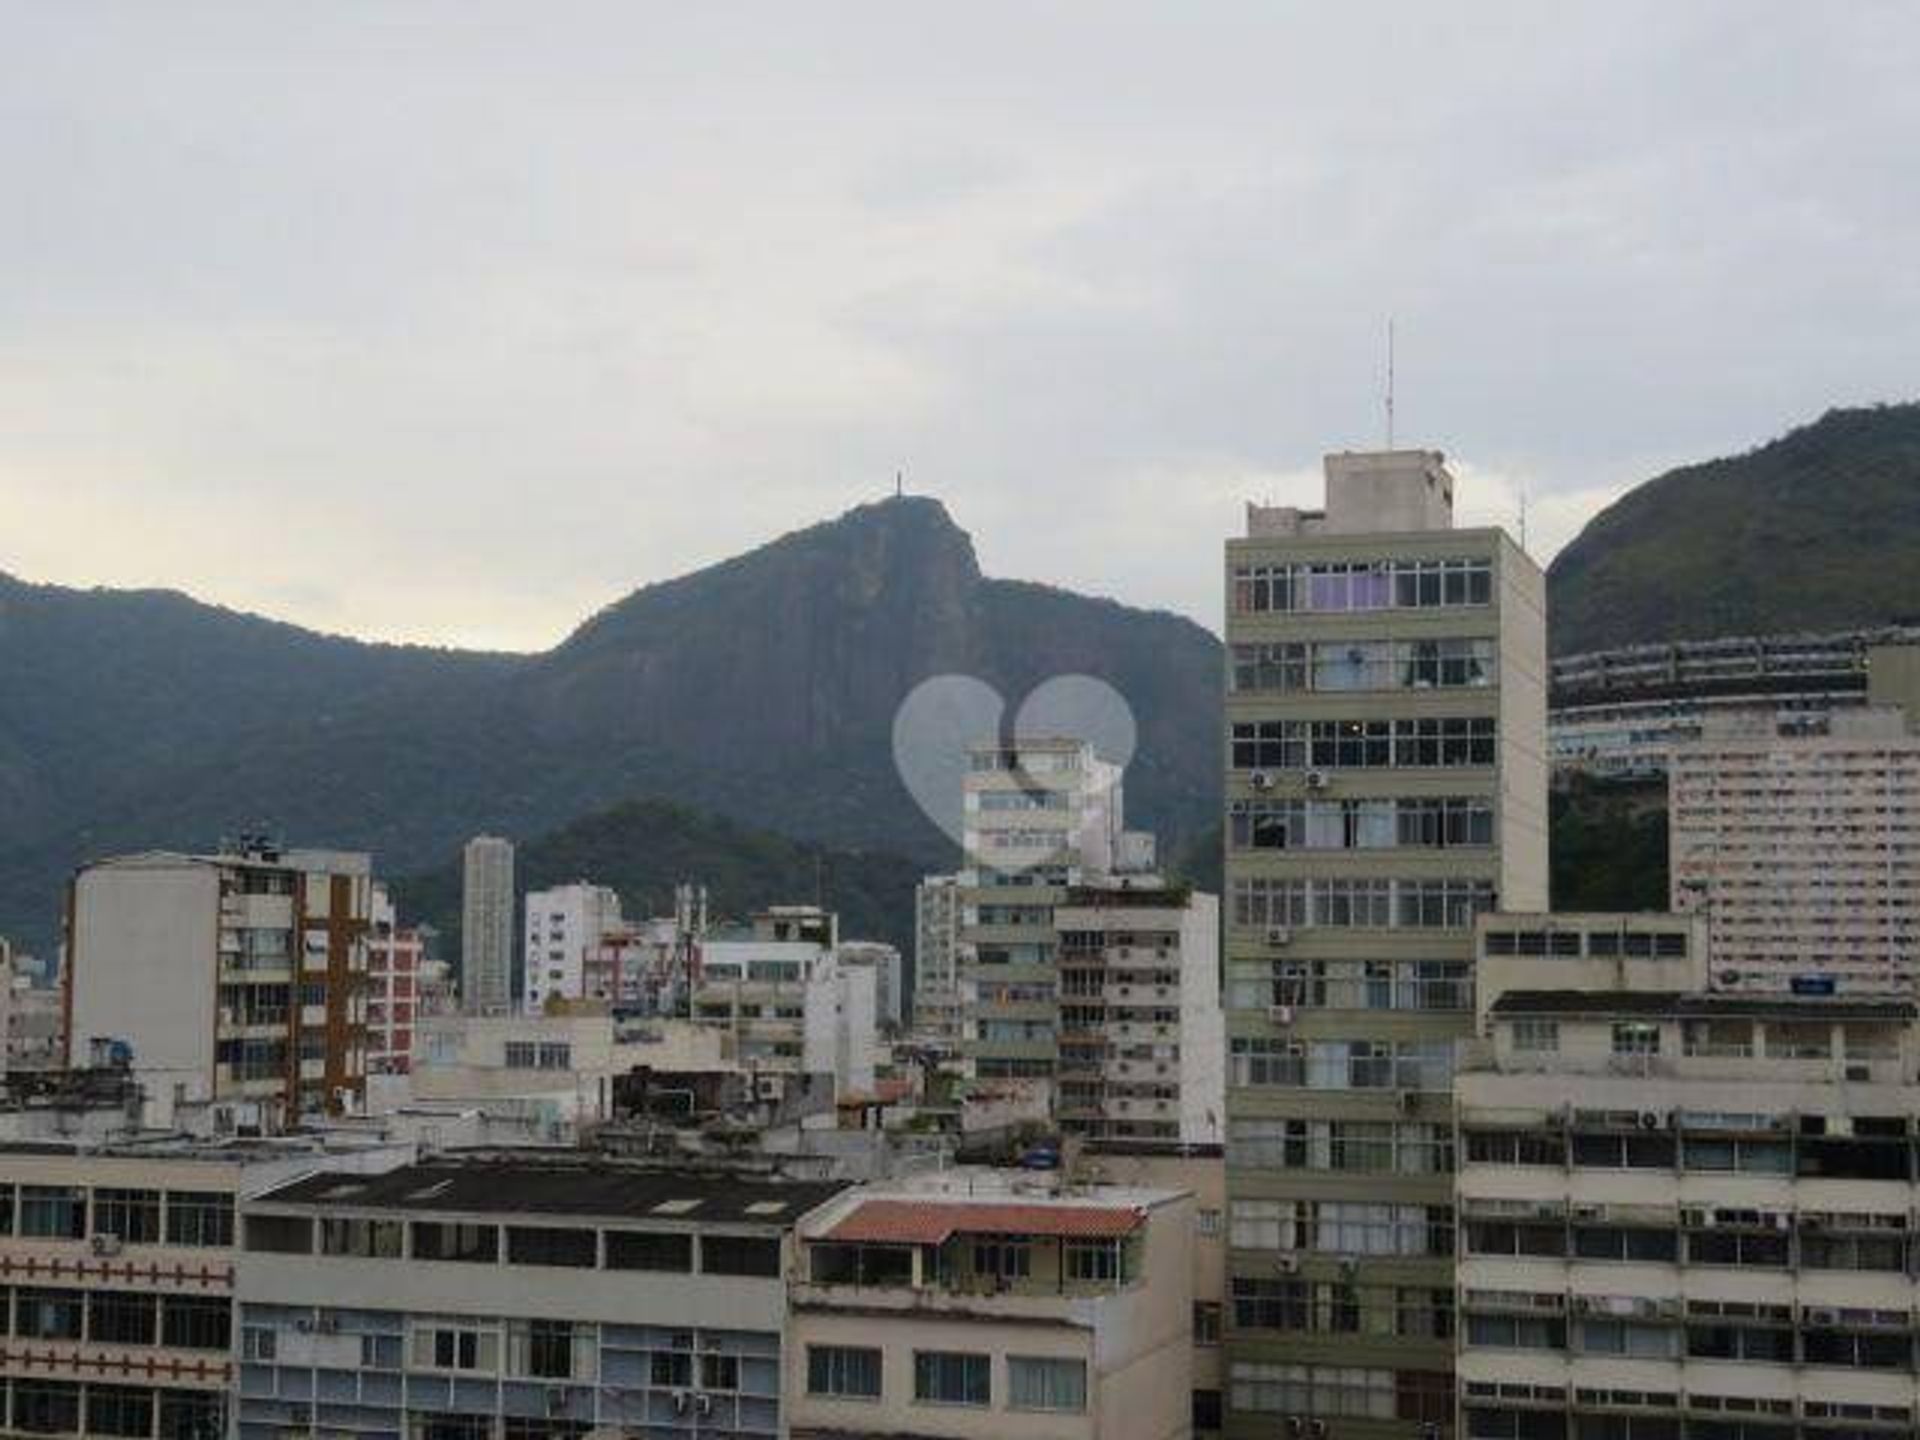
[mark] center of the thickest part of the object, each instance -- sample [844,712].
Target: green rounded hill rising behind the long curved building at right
[1817,531]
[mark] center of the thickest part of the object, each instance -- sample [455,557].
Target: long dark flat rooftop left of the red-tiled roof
[562,1189]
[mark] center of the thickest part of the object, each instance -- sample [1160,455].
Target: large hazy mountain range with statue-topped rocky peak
[761,690]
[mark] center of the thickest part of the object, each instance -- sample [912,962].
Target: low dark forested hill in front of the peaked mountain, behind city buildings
[646,848]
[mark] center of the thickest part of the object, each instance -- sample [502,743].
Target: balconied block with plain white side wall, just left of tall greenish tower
[1140,1020]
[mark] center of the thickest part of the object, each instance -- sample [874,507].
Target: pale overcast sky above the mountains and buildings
[454,324]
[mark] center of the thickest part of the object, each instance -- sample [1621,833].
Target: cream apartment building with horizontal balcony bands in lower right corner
[1685,1214]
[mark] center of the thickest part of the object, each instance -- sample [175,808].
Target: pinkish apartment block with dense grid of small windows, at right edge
[1802,848]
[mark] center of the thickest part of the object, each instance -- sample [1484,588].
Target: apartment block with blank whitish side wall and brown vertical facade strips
[235,976]
